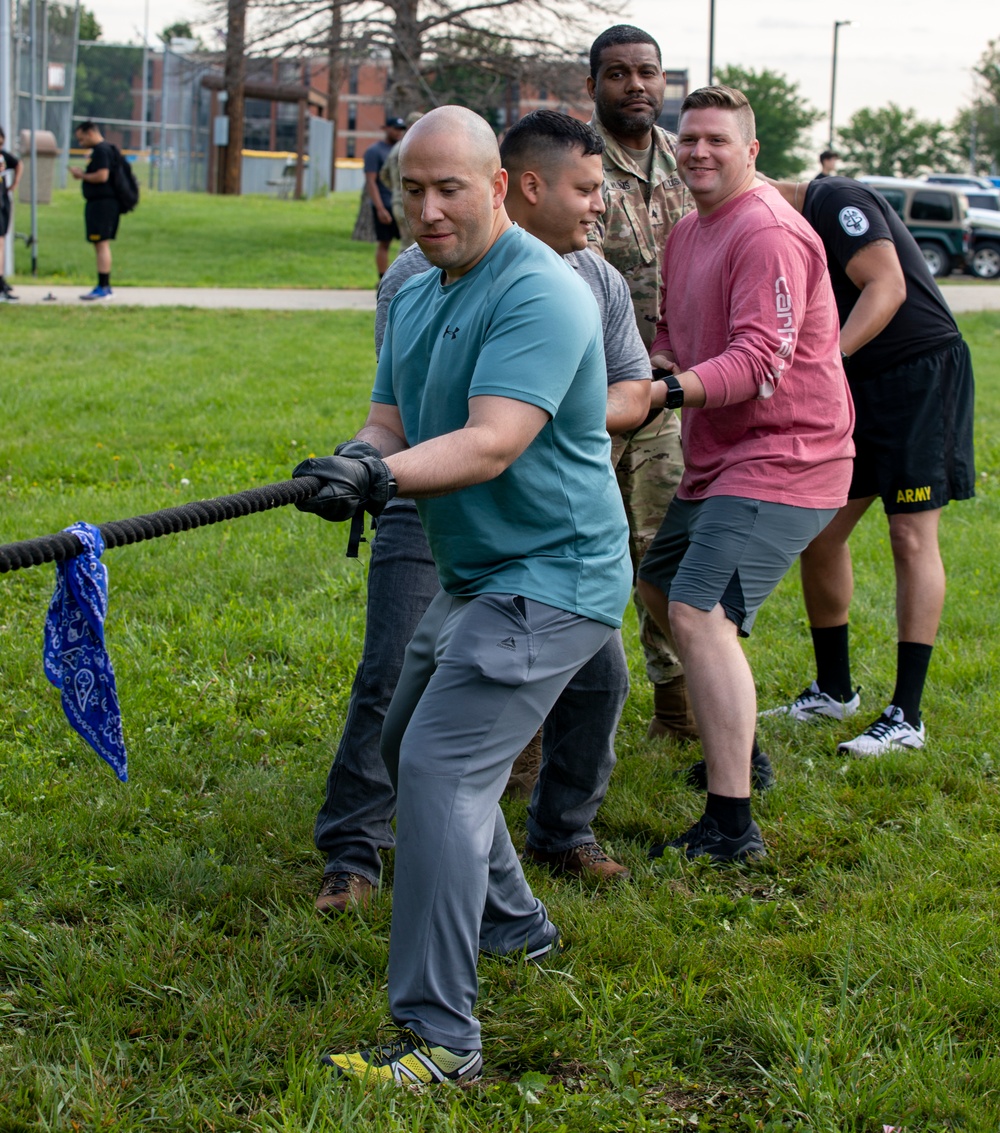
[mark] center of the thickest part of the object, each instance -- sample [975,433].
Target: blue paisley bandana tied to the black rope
[76,658]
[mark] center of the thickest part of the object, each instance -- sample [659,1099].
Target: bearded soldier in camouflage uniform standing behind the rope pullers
[645,199]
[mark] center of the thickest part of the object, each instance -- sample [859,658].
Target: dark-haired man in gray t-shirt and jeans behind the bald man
[554,192]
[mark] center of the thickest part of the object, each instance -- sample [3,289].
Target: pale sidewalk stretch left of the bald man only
[217,299]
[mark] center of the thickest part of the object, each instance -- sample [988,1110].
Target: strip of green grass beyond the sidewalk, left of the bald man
[192,240]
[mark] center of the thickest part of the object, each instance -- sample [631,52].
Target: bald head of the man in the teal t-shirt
[454,189]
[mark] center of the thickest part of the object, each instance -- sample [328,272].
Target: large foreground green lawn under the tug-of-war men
[161,967]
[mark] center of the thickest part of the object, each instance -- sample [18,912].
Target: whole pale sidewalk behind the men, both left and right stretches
[961,297]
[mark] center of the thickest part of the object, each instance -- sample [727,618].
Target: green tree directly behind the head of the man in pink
[783,118]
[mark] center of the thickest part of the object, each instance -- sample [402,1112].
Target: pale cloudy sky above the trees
[919,54]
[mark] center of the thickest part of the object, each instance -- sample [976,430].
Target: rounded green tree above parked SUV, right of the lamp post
[893,142]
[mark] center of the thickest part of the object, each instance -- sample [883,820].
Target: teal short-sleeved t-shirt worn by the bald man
[520,325]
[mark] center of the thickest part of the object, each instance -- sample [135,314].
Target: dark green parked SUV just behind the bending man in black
[937,217]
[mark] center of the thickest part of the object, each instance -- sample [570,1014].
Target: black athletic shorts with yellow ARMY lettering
[913,432]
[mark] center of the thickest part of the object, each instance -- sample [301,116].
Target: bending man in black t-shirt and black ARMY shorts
[911,377]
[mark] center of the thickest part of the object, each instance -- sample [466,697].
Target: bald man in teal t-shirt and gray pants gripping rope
[490,411]
